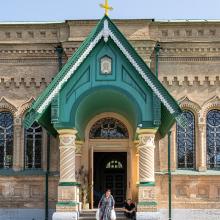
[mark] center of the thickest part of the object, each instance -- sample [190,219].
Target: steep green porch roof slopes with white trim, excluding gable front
[40,109]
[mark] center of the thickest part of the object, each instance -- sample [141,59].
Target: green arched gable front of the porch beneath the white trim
[86,95]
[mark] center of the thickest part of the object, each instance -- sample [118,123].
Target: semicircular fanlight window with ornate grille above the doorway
[107,128]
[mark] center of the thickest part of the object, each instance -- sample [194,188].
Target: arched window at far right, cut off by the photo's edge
[213,138]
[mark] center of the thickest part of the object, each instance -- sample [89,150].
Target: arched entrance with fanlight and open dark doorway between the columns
[109,138]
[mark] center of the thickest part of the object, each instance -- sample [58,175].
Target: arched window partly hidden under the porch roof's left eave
[33,146]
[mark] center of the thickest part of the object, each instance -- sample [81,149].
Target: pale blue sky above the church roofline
[58,10]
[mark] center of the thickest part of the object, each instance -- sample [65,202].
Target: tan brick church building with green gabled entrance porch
[88,105]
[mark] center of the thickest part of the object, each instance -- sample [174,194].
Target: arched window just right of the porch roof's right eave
[186,143]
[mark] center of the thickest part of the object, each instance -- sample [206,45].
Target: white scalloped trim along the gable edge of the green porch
[105,32]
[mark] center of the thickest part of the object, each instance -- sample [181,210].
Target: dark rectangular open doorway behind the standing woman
[110,172]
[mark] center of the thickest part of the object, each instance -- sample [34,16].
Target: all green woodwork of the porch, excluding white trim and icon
[88,92]
